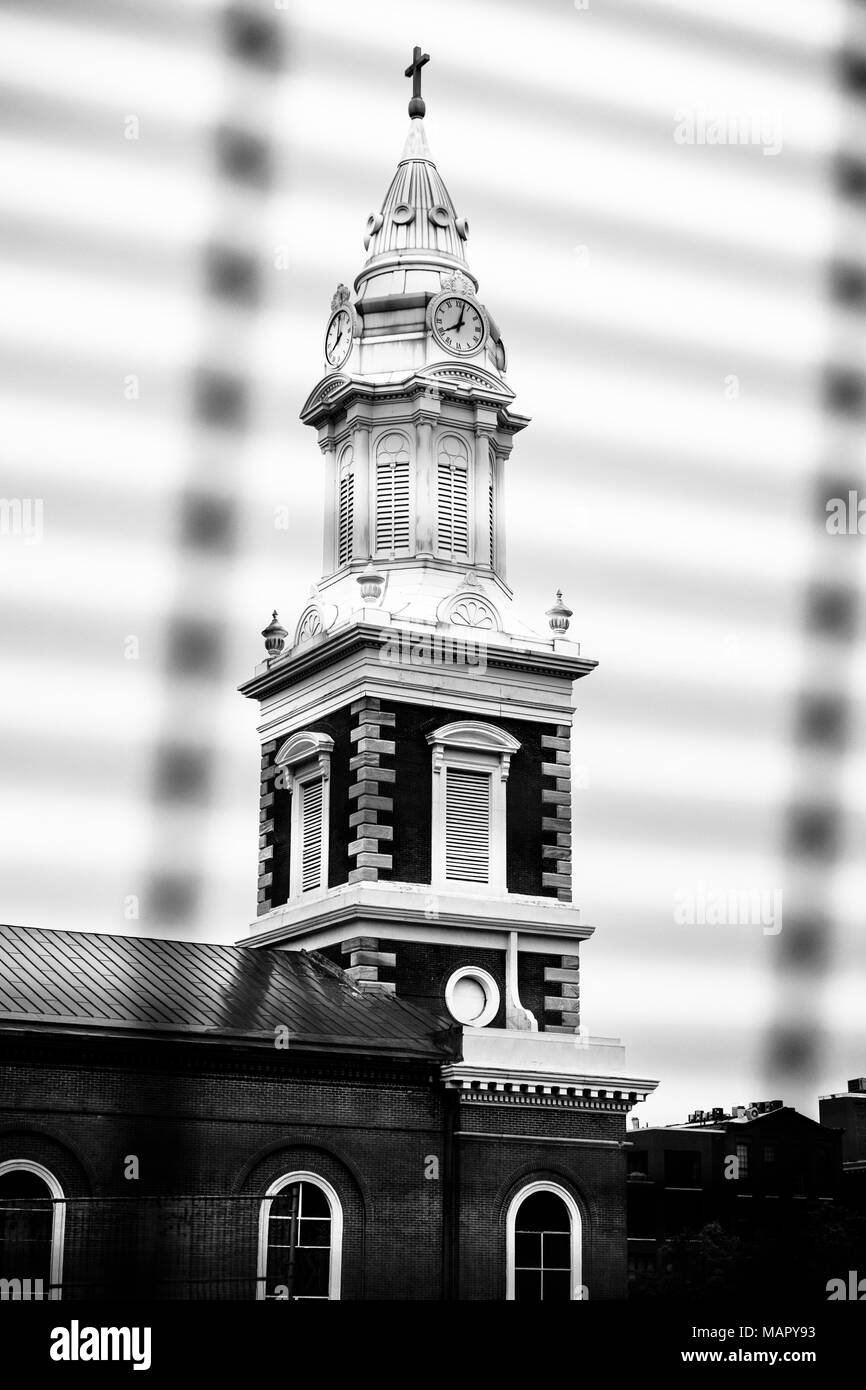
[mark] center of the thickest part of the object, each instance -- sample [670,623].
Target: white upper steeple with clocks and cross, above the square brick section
[415,416]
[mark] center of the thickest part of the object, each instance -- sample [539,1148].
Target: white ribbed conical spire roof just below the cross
[416,191]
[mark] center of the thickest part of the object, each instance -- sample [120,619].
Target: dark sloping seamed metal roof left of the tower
[98,982]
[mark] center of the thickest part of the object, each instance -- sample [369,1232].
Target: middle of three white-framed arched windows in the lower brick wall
[301,1236]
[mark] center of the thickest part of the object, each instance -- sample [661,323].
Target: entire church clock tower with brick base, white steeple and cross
[416,761]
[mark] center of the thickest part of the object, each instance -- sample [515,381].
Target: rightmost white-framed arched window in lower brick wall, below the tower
[544,1246]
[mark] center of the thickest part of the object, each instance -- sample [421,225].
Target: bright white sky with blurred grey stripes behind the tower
[667,316]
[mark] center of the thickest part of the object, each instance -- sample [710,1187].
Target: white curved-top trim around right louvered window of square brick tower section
[476,747]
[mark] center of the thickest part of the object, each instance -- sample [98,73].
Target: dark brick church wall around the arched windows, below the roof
[226,1122]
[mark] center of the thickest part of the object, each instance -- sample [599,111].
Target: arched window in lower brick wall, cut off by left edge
[33,1218]
